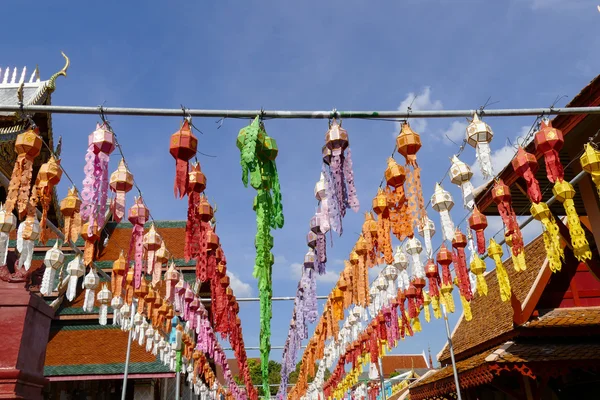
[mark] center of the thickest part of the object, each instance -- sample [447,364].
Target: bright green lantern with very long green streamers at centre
[257,158]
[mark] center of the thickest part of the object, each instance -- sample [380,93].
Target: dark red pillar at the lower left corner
[24,329]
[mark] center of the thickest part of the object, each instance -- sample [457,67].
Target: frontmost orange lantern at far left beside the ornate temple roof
[27,147]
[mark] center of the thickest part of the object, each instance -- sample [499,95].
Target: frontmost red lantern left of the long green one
[183,147]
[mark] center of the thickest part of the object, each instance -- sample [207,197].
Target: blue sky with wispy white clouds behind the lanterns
[308,55]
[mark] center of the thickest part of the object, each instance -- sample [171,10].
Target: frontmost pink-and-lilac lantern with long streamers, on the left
[101,143]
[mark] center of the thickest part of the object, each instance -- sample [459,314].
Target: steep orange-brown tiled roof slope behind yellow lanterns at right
[491,316]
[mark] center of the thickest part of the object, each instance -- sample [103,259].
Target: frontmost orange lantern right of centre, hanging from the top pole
[408,143]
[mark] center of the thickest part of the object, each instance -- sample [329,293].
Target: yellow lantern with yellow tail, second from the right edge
[565,193]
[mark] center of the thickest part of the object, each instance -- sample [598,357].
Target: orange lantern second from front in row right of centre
[401,219]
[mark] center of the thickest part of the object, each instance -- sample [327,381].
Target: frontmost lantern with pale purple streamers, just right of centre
[341,189]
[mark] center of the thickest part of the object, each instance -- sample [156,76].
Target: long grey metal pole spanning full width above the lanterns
[178,112]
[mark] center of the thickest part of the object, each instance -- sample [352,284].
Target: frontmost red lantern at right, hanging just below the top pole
[548,141]
